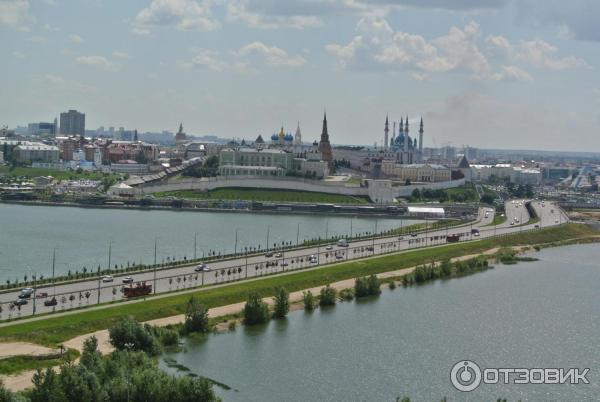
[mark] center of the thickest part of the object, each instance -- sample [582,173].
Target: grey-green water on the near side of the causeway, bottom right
[543,314]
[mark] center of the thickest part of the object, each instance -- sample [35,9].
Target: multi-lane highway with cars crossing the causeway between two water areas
[84,293]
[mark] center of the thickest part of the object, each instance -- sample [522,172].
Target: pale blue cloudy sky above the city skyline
[514,74]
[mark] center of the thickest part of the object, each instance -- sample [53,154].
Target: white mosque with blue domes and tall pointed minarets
[402,148]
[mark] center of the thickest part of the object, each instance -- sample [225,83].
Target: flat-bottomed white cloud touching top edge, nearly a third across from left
[180,14]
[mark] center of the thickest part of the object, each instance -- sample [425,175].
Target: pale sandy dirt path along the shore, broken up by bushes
[23,380]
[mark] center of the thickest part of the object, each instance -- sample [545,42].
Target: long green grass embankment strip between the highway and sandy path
[53,331]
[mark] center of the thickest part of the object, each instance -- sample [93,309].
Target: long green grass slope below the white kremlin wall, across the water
[264,194]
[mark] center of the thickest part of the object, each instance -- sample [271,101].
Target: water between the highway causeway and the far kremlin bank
[28,235]
